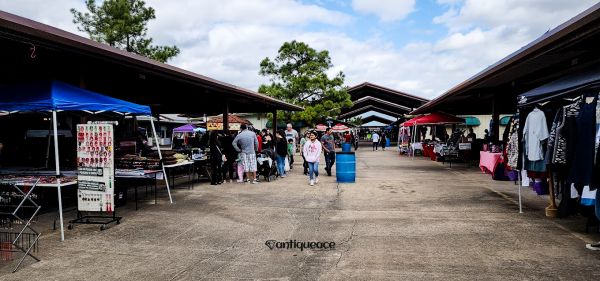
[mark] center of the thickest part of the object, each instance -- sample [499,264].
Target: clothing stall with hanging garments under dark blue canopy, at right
[556,141]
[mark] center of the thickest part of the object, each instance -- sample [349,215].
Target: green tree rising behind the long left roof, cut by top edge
[122,24]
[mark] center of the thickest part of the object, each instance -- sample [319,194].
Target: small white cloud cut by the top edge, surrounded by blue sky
[387,10]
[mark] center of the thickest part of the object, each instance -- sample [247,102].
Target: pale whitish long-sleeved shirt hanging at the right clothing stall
[534,132]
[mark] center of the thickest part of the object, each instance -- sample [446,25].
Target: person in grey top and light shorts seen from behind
[246,144]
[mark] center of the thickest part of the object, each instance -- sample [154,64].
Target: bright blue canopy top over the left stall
[55,95]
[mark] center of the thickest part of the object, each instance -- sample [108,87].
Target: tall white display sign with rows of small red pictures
[95,162]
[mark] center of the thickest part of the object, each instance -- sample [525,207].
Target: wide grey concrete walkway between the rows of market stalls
[403,220]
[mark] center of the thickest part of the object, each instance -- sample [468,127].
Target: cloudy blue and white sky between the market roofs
[421,47]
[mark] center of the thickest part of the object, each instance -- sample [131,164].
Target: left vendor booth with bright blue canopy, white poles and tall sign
[95,142]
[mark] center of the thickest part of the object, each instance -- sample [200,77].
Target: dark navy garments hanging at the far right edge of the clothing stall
[585,142]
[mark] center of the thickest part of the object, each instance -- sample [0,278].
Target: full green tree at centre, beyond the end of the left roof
[298,75]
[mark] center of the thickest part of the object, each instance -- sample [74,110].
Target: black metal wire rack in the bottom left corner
[20,235]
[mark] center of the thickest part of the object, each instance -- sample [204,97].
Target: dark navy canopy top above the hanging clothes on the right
[565,85]
